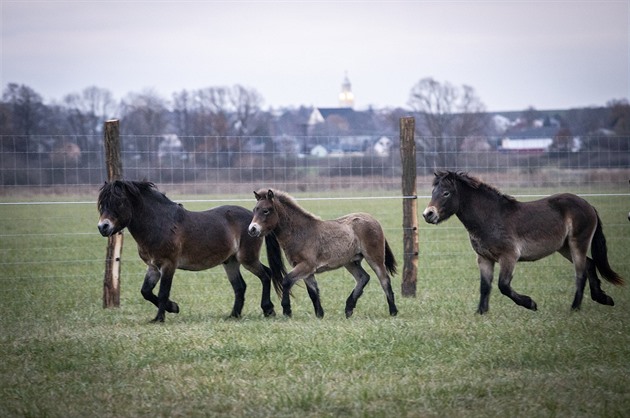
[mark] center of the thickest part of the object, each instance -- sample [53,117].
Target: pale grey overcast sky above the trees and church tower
[515,54]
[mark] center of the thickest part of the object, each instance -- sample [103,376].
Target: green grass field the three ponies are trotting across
[62,355]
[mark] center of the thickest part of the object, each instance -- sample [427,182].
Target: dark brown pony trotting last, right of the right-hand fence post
[503,230]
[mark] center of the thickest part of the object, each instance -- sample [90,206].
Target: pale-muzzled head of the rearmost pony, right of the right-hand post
[444,197]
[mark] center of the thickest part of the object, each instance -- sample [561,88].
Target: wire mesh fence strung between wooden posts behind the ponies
[47,198]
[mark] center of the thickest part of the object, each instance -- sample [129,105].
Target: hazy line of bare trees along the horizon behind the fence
[227,127]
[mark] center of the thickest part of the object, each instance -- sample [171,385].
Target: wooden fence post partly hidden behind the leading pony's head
[111,281]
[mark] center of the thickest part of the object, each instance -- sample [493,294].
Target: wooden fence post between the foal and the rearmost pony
[410,206]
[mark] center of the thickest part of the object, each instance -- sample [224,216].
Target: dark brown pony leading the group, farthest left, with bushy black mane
[170,237]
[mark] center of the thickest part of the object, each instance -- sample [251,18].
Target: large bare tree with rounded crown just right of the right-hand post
[448,115]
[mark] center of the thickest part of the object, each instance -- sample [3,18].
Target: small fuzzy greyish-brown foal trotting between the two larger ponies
[312,245]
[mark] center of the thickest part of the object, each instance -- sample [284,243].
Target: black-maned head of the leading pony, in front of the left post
[115,206]
